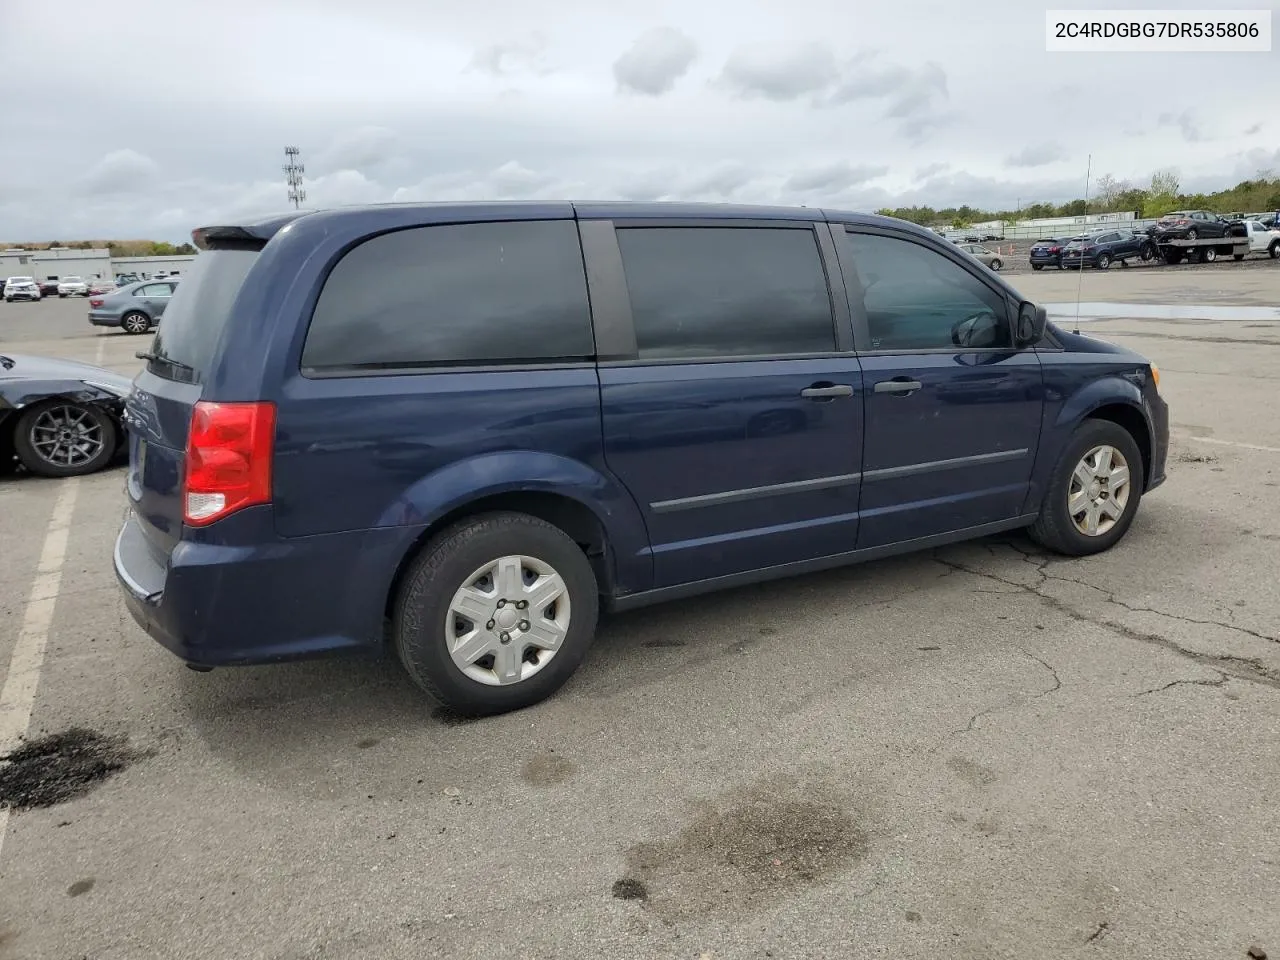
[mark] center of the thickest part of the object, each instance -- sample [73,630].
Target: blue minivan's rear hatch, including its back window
[158,414]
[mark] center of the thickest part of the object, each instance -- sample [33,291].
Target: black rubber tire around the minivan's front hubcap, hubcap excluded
[1055,527]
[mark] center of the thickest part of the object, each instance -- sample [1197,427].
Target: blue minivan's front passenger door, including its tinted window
[953,409]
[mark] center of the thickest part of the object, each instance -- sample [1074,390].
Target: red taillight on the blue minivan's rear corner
[228,468]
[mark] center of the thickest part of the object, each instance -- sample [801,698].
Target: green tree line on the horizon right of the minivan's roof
[1113,196]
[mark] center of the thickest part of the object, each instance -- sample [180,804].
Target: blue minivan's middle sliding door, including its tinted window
[737,423]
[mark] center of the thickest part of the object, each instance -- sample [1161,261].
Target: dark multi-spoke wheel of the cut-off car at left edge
[61,438]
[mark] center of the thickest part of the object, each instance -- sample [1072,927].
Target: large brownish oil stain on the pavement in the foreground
[747,852]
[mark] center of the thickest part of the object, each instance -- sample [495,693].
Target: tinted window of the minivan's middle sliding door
[724,292]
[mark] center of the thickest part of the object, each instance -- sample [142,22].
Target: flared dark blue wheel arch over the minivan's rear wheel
[533,472]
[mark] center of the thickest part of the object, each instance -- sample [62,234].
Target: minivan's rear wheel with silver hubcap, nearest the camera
[496,614]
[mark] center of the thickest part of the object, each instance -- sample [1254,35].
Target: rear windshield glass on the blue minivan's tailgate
[196,314]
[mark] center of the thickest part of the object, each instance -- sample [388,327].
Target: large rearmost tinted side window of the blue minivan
[468,294]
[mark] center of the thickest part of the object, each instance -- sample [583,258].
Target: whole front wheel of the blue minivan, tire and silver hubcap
[1094,493]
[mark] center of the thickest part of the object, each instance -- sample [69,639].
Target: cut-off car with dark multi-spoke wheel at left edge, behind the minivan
[60,418]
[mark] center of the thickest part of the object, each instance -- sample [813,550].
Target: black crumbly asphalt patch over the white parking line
[61,767]
